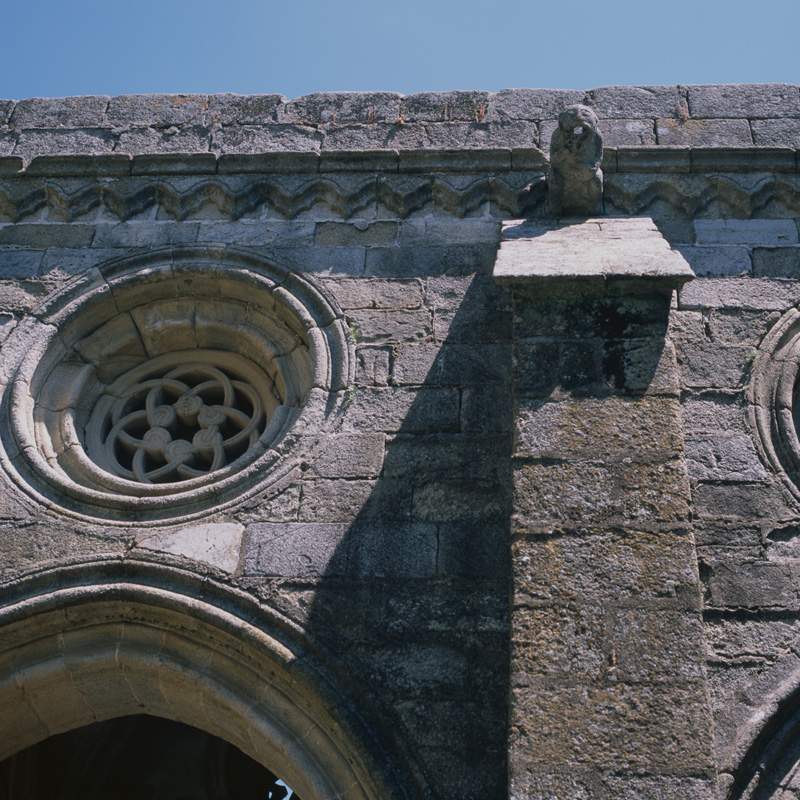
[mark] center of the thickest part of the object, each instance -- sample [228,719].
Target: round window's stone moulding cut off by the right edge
[773,396]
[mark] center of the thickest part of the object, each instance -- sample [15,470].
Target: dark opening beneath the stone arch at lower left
[137,757]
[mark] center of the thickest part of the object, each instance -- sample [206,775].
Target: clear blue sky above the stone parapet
[65,47]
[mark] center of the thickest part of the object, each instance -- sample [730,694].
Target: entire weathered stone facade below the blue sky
[363,446]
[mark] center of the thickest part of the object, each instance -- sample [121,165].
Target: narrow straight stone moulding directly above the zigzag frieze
[487,160]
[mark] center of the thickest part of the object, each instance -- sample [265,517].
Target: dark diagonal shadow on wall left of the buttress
[414,600]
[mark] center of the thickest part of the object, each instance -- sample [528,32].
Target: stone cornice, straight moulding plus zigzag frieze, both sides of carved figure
[740,182]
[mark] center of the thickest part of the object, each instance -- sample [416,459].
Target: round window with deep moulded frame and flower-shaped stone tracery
[166,386]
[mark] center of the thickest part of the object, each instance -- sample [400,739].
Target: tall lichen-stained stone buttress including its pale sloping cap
[604,574]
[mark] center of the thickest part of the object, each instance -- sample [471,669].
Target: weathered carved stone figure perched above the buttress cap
[575,183]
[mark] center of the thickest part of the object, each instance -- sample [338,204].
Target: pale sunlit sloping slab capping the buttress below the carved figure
[606,248]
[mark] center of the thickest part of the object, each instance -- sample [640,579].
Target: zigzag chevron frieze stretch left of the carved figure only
[519,194]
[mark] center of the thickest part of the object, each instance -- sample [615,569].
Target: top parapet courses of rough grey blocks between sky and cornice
[649,116]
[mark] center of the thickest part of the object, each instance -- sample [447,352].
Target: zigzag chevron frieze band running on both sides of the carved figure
[289,197]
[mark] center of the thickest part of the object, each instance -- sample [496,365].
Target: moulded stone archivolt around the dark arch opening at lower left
[93,650]
